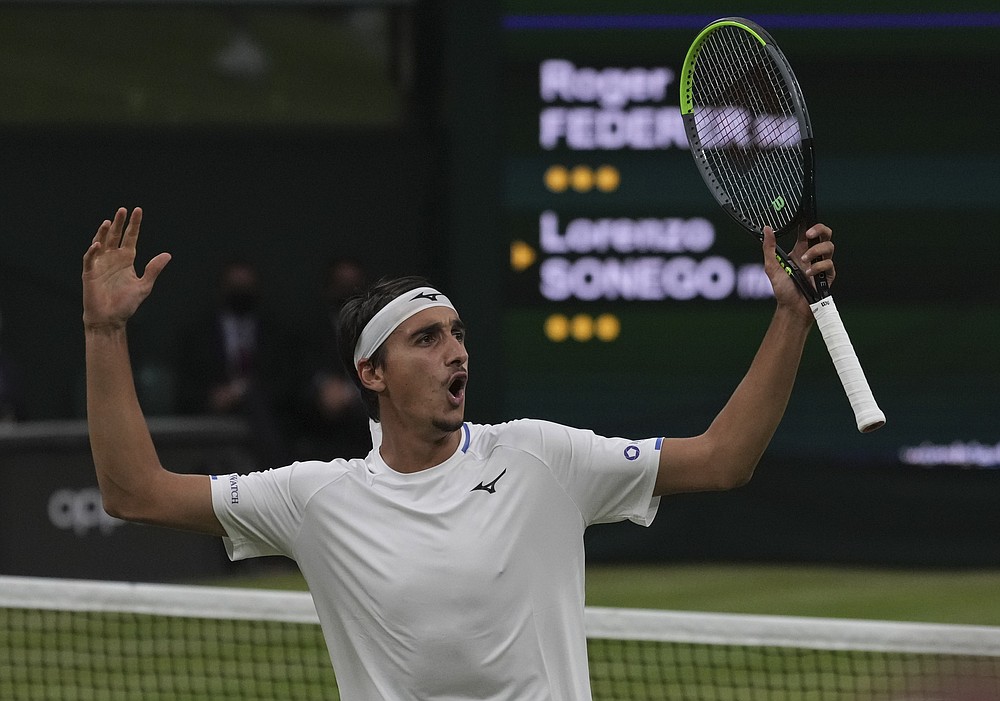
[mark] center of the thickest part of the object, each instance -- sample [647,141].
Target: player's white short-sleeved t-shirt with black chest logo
[463,581]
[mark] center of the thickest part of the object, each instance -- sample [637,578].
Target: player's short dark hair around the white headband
[355,315]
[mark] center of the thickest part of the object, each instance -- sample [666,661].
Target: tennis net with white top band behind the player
[83,640]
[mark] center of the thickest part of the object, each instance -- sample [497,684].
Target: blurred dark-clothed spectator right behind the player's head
[334,423]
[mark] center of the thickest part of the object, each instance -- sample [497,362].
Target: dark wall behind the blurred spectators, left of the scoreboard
[287,201]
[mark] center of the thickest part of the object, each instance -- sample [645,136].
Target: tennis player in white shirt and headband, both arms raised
[449,562]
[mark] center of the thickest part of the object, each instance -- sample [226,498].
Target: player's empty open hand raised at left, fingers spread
[111,290]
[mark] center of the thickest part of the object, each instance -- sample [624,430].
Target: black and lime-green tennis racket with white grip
[751,138]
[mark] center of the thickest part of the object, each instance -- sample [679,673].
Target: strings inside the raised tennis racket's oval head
[746,123]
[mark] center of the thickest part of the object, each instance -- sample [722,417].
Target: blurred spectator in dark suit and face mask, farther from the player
[240,361]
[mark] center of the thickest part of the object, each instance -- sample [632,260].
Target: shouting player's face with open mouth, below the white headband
[426,371]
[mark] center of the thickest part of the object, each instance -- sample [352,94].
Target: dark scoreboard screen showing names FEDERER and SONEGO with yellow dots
[633,305]
